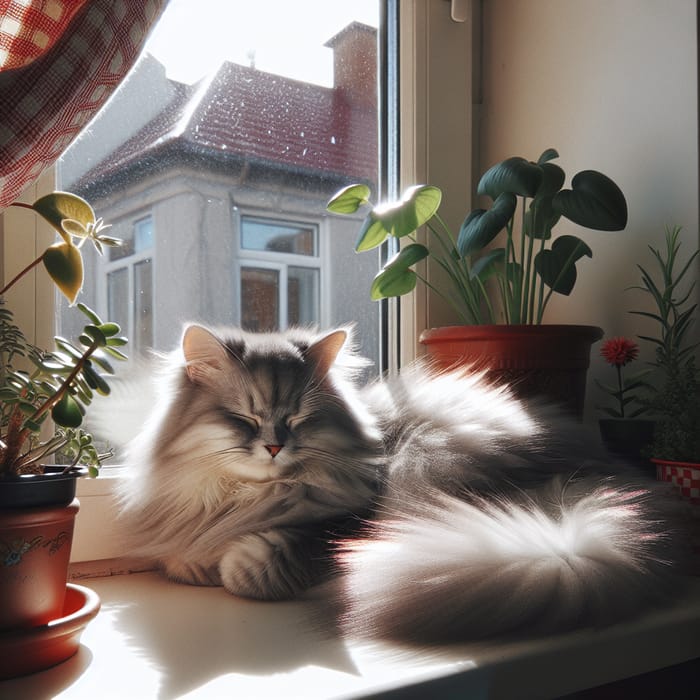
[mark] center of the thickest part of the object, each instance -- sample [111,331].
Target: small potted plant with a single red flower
[624,431]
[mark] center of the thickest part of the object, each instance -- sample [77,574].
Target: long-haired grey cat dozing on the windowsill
[428,506]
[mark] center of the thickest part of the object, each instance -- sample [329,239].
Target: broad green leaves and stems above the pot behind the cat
[511,244]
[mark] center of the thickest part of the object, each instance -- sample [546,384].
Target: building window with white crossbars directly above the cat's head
[280,274]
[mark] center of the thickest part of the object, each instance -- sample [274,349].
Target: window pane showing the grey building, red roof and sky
[214,165]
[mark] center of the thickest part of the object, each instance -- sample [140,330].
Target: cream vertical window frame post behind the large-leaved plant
[433,136]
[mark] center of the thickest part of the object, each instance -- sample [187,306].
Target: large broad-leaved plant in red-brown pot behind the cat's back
[524,266]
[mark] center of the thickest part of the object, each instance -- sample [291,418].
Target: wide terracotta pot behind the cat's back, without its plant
[537,361]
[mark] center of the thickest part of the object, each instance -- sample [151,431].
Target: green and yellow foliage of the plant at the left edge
[37,384]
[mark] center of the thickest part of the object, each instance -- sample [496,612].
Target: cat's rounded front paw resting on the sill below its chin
[264,566]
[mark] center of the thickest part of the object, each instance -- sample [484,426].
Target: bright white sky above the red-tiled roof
[194,37]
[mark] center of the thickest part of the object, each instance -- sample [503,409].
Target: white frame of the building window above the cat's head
[273,260]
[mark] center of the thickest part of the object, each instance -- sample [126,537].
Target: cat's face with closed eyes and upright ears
[265,408]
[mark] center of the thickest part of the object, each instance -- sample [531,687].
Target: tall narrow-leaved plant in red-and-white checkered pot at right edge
[675,449]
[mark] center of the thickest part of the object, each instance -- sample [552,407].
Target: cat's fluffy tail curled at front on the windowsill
[455,570]
